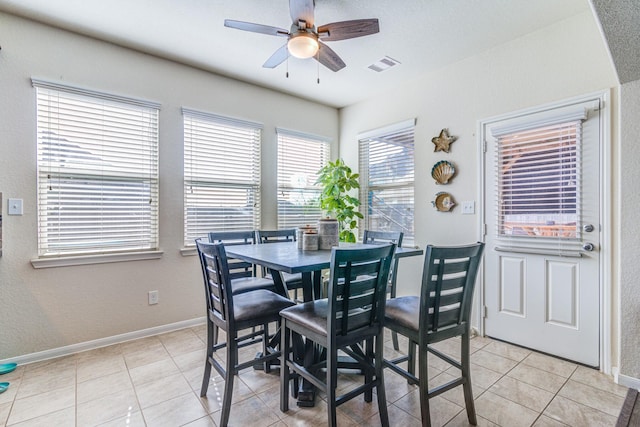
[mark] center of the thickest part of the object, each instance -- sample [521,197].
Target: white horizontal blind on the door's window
[539,181]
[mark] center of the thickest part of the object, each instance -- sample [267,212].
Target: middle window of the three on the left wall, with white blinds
[221,175]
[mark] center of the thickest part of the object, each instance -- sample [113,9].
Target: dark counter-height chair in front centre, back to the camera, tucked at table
[351,320]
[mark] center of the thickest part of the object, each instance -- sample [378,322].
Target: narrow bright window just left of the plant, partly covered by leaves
[299,159]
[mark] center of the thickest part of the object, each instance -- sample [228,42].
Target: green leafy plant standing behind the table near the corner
[337,180]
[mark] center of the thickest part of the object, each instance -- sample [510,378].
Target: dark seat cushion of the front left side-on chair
[259,304]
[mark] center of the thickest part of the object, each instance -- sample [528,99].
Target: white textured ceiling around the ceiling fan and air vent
[422,35]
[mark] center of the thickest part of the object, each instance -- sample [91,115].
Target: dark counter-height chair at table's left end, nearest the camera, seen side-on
[234,314]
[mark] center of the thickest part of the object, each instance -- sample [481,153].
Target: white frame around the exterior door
[606,199]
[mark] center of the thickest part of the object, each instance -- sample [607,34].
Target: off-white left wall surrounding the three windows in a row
[55,307]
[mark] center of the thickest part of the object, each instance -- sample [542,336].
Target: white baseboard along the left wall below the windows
[103,342]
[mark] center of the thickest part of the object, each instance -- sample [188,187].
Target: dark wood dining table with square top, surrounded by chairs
[287,257]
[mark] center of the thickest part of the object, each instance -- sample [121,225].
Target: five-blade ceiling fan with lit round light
[304,40]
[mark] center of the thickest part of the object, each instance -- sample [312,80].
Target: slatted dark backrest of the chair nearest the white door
[448,282]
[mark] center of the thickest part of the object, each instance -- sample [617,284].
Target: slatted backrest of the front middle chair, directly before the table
[357,288]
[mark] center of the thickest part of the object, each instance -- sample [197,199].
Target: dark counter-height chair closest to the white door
[440,312]
